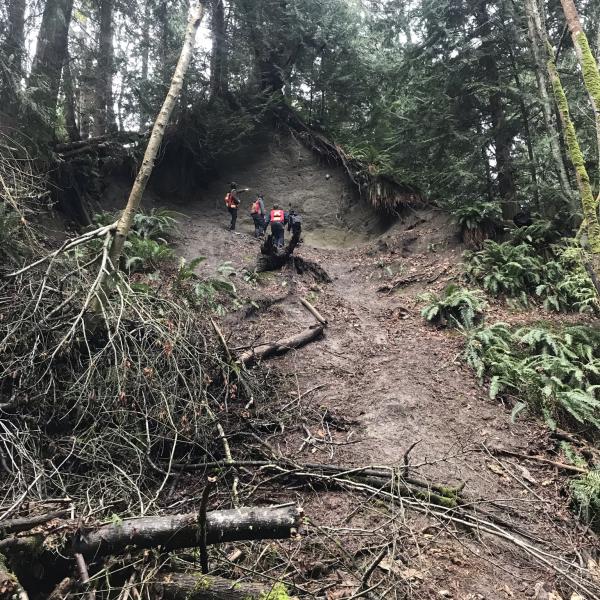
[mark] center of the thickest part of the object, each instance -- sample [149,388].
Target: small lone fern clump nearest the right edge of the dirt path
[456,306]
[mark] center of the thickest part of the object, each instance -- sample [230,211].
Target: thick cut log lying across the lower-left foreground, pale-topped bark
[170,532]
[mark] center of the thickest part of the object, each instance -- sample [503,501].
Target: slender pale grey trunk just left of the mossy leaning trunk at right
[537,36]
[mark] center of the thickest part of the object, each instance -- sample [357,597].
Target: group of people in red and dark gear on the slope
[277,218]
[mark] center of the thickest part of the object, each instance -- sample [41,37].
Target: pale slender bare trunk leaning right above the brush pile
[137,191]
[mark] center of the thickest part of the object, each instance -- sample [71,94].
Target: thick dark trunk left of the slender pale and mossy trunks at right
[500,130]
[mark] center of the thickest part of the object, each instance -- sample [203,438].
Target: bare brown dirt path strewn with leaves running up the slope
[381,380]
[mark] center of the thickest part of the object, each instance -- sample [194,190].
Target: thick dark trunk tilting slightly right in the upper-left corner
[51,51]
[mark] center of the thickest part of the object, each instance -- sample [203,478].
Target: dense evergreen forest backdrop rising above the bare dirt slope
[445,95]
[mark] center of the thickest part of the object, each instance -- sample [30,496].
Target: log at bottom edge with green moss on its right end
[190,586]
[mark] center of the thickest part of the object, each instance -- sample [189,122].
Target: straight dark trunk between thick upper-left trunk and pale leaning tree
[105,114]
